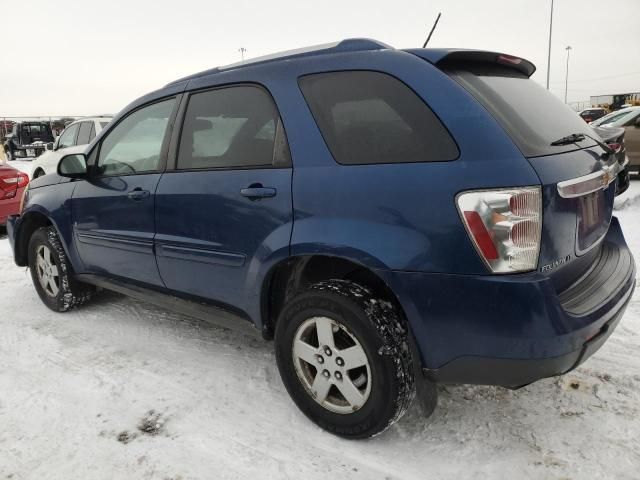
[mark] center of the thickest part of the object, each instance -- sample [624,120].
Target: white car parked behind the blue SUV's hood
[74,139]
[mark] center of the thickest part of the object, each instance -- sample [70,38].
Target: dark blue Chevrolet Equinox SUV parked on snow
[392,218]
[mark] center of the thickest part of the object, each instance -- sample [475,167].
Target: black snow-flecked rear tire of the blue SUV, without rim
[383,335]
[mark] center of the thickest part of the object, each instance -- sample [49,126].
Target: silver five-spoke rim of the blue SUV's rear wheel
[332,365]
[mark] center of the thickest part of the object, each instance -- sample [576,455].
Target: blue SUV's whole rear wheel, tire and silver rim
[345,359]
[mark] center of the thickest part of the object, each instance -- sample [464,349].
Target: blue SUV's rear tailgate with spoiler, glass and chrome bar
[577,177]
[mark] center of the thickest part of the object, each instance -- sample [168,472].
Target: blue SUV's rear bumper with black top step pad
[511,330]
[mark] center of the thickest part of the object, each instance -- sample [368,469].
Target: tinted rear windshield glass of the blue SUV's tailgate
[530,114]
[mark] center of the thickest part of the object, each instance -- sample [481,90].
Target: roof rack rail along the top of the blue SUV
[343,46]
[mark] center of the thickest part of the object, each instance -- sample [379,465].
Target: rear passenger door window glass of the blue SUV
[233,127]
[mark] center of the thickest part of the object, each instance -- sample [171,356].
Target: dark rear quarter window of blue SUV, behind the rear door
[370,117]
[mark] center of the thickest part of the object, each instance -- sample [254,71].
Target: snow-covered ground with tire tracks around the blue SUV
[123,390]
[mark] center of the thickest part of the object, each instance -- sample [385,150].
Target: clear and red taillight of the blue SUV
[504,226]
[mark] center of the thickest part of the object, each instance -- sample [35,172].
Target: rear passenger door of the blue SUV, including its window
[227,204]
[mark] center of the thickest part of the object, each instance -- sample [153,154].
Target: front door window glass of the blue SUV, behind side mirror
[134,145]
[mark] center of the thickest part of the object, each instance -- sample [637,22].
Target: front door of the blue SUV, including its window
[113,211]
